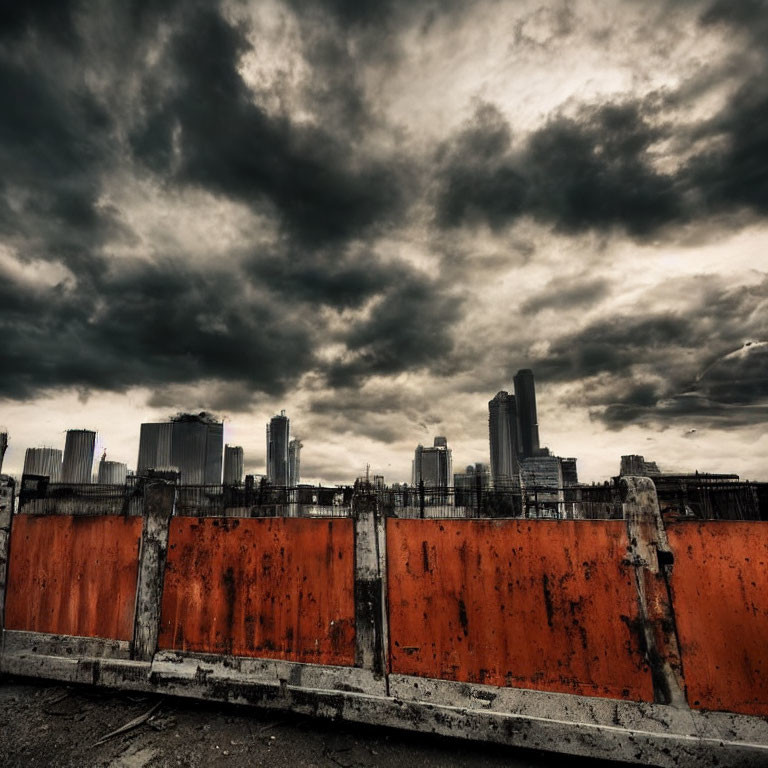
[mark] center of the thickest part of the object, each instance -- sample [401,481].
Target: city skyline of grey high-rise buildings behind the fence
[511,459]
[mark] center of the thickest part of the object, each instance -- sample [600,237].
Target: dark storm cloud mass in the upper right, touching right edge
[597,170]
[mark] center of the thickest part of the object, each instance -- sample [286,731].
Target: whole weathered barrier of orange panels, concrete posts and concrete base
[622,639]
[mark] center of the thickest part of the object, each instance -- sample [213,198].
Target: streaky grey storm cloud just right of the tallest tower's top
[688,364]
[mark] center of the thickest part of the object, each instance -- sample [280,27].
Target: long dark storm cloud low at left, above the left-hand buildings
[149,325]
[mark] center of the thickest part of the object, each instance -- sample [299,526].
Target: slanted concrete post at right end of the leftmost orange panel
[159,503]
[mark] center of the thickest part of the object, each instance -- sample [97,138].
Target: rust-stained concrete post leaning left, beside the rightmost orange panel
[653,560]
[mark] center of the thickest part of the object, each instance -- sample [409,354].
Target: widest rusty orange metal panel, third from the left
[549,605]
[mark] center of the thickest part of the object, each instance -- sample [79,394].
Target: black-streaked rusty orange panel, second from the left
[278,588]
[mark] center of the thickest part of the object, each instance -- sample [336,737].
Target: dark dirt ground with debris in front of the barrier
[44,724]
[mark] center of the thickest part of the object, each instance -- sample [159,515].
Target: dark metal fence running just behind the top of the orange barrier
[679,496]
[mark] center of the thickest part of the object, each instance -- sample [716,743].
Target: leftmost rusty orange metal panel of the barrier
[73,575]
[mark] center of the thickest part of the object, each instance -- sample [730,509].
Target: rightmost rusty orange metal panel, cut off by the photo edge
[719,590]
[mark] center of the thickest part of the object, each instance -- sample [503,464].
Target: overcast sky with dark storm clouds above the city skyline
[372,214]
